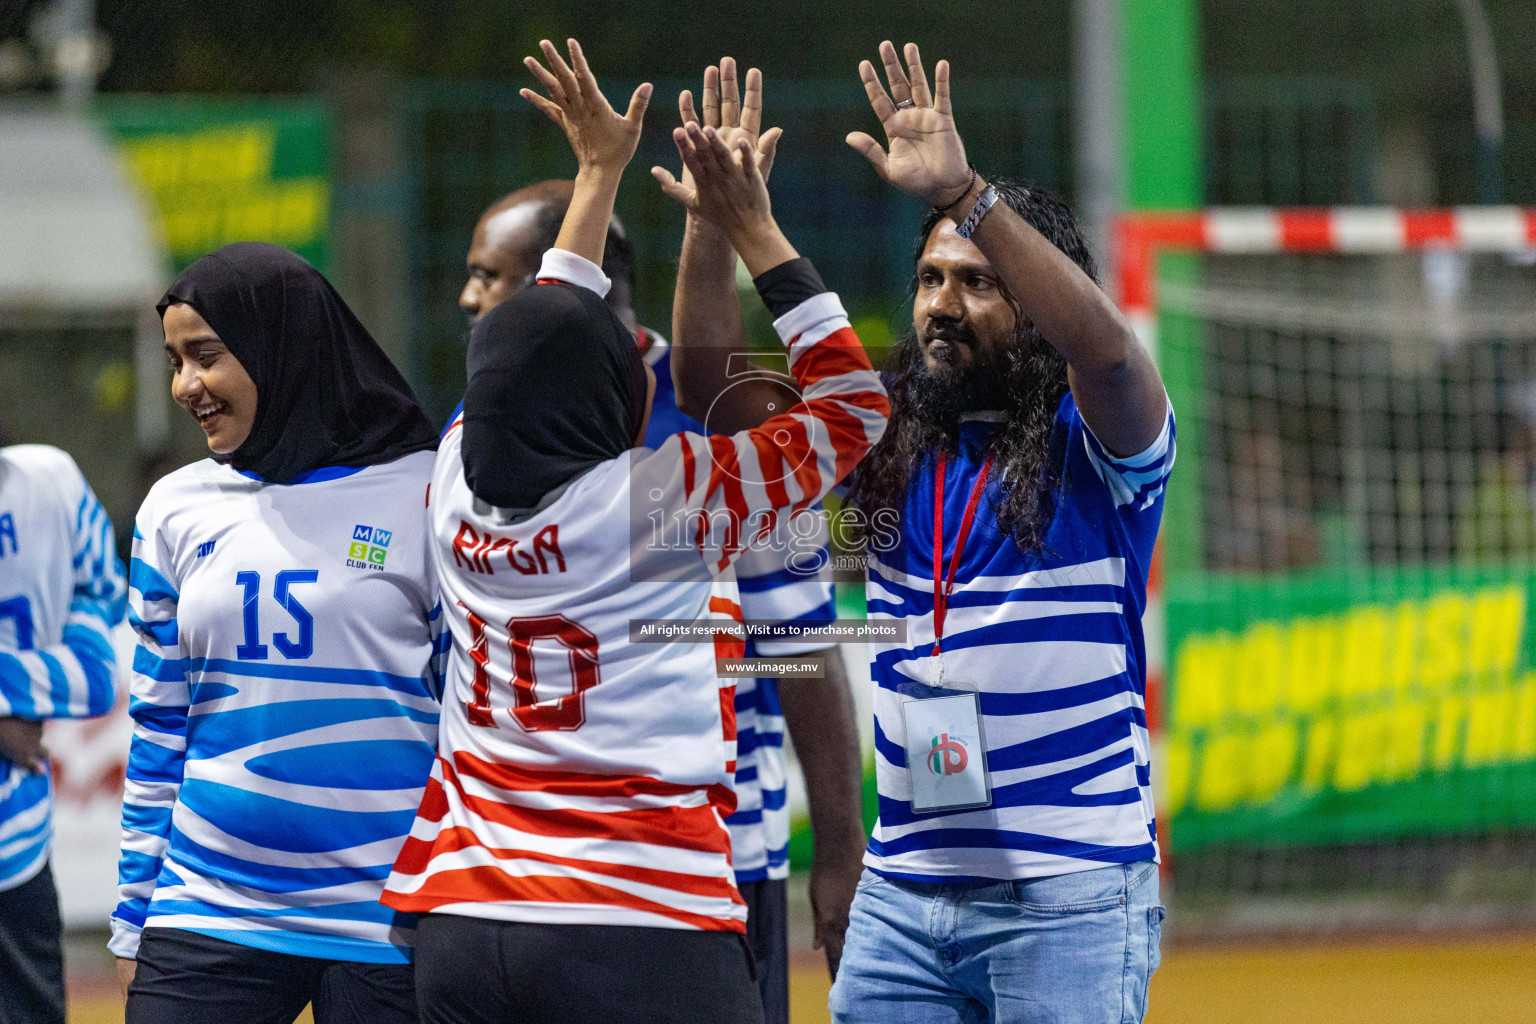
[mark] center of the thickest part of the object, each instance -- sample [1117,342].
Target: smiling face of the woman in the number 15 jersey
[210,382]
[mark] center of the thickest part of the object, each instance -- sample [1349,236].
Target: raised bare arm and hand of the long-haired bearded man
[1114,382]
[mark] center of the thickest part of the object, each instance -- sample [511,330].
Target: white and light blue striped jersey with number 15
[285,701]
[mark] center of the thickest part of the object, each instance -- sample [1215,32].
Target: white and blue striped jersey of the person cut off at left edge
[61,595]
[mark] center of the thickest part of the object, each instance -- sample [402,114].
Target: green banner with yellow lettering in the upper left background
[222,171]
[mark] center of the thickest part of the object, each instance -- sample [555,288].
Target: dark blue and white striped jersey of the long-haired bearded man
[1053,642]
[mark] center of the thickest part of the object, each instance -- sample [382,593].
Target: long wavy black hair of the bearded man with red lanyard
[1034,382]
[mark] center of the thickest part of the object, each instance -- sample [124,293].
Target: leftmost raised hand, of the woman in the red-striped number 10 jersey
[598,134]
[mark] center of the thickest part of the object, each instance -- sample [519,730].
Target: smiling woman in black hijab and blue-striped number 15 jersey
[285,692]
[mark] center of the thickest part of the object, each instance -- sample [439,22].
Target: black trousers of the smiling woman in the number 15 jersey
[191,979]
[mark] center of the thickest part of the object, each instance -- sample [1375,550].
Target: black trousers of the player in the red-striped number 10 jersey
[509,973]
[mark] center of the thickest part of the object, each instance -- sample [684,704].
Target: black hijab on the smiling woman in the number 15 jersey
[326,394]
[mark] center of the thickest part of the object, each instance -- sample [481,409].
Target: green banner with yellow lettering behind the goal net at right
[1349,707]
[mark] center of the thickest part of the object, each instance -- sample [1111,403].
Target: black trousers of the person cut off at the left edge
[31,953]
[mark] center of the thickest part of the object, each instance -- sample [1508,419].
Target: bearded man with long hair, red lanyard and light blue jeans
[1013,870]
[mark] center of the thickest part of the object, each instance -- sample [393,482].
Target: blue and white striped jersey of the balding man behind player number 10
[787,580]
